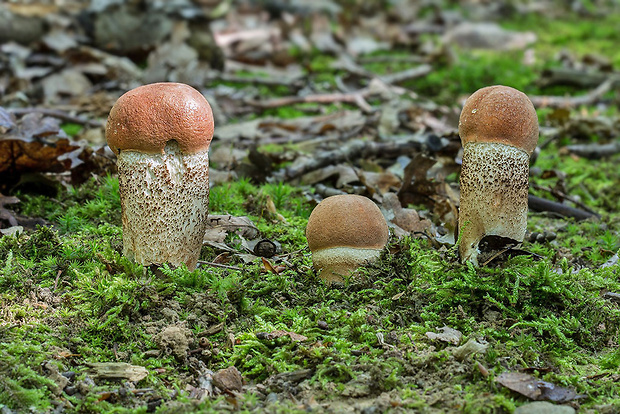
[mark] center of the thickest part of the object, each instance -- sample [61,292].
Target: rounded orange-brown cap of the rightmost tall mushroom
[499,114]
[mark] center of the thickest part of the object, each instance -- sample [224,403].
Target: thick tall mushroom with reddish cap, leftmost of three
[161,134]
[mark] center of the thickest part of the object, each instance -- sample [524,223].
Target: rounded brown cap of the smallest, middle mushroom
[346,221]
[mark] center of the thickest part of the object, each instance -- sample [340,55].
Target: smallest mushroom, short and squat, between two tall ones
[344,232]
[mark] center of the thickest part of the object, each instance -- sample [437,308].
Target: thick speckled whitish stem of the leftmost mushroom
[165,201]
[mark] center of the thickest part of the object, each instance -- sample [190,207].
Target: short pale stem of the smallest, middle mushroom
[338,263]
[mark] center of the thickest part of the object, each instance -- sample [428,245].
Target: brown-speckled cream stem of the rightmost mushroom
[494,187]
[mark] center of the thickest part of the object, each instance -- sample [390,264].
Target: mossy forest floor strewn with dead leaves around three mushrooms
[341,97]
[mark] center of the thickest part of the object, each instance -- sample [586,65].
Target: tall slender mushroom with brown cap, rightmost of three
[499,131]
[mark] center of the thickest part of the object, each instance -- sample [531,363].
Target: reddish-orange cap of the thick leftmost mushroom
[147,117]
